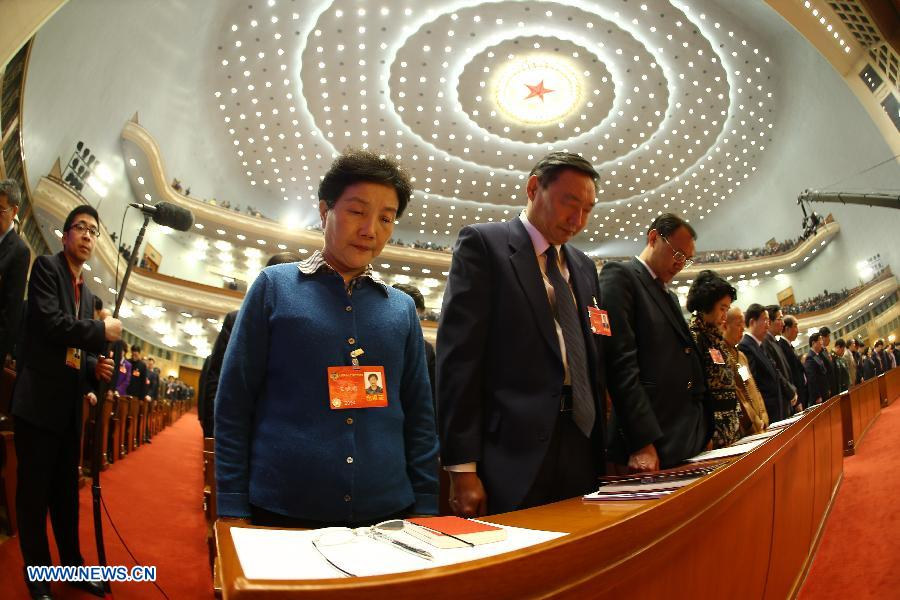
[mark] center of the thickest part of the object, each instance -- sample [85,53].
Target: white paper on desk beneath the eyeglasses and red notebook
[290,554]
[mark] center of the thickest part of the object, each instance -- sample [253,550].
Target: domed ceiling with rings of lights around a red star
[672,101]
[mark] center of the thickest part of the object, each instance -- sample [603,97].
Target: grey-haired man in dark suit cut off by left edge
[14,258]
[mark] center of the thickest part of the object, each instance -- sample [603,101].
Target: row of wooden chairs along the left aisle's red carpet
[126,422]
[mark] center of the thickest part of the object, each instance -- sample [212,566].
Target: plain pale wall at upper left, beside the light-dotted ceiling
[94,64]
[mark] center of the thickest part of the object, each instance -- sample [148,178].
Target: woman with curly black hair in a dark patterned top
[708,300]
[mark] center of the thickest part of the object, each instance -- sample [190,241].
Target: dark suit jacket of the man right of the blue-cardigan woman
[499,367]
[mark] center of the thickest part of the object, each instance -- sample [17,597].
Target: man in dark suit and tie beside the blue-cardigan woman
[520,381]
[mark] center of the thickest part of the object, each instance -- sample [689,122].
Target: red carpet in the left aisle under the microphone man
[155,499]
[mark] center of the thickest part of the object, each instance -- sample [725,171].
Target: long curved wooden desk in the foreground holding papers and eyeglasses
[749,530]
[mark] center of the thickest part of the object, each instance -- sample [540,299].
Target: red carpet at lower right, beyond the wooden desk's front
[860,548]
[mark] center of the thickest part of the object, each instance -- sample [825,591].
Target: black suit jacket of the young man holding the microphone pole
[49,394]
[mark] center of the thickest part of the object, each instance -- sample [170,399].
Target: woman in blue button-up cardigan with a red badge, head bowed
[289,452]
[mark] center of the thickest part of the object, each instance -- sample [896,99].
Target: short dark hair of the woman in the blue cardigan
[356,166]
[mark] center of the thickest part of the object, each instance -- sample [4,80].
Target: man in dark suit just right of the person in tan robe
[761,364]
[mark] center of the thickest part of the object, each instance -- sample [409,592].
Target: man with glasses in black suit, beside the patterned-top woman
[656,379]
